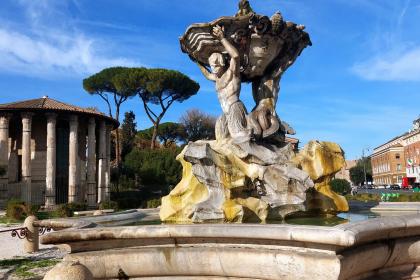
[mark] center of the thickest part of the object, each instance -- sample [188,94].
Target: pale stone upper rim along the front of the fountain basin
[345,235]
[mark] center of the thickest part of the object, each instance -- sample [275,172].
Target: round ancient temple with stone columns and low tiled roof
[54,153]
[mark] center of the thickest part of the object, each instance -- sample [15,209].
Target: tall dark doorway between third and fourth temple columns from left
[62,163]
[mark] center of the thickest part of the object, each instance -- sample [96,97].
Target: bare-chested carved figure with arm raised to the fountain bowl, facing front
[233,122]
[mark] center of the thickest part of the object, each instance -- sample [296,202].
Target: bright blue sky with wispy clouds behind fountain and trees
[358,85]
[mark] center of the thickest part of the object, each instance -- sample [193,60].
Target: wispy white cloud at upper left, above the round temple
[54,56]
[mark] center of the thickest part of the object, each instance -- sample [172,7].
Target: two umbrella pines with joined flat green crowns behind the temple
[157,86]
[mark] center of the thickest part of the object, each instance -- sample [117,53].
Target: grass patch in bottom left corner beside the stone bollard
[22,267]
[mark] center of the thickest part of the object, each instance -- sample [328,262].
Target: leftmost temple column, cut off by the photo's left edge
[4,155]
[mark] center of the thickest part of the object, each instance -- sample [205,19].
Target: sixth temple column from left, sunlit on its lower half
[102,162]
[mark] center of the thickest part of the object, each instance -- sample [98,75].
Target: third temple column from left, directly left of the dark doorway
[51,160]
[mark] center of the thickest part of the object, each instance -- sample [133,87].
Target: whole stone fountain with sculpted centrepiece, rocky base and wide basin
[248,174]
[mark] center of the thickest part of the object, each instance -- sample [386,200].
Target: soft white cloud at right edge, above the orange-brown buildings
[401,66]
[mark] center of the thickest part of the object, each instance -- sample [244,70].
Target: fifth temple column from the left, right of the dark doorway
[91,164]
